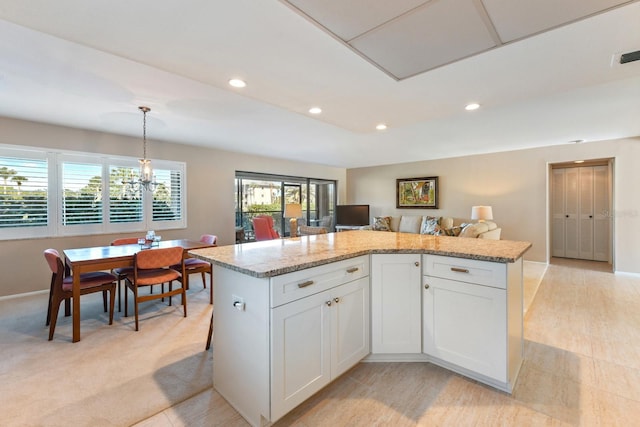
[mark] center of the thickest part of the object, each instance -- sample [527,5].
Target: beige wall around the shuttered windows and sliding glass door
[210,192]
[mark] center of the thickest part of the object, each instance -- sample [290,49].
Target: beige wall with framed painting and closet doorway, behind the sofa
[515,183]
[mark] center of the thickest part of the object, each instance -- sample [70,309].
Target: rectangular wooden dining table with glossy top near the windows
[84,260]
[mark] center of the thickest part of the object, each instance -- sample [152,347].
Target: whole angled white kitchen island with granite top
[291,315]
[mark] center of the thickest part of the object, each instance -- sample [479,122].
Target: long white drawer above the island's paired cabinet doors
[292,286]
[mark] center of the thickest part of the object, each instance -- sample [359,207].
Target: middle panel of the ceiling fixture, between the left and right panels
[438,33]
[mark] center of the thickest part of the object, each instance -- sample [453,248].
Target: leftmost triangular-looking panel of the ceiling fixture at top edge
[349,19]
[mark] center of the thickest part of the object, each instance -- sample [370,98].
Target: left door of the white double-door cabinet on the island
[300,351]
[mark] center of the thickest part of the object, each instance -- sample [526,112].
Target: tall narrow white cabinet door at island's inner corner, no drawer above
[395,303]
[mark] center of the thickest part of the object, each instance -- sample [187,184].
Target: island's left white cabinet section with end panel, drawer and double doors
[291,335]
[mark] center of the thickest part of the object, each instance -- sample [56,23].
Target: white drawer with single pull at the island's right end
[466,270]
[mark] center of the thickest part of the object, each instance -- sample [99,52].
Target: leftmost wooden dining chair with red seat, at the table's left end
[62,288]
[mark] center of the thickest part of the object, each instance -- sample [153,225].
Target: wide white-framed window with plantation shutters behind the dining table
[44,194]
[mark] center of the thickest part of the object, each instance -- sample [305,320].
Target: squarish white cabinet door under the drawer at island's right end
[465,324]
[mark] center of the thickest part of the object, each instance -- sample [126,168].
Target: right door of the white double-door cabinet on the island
[349,325]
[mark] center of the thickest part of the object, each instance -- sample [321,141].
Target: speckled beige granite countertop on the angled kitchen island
[280,256]
